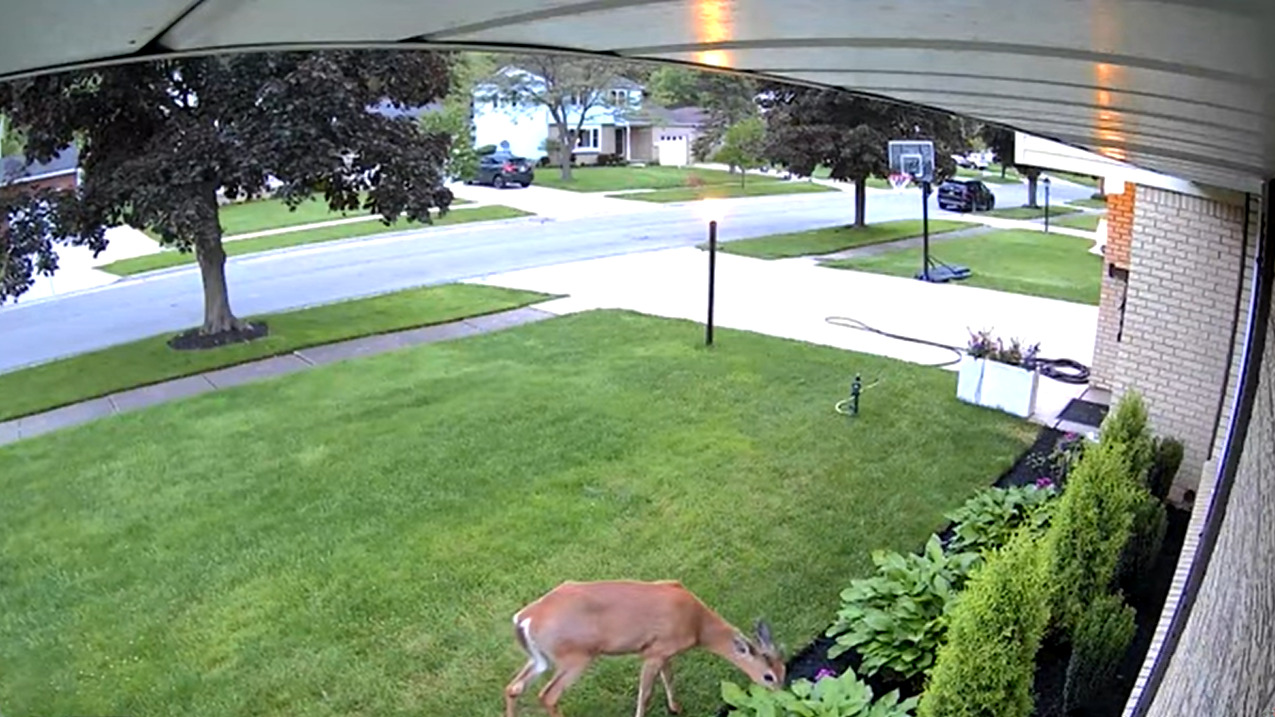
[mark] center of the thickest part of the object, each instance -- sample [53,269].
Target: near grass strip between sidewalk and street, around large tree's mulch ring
[147,362]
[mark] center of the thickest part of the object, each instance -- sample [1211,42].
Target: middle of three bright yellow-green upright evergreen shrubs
[1091,530]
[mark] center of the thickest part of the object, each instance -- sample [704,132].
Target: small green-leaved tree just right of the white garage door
[726,100]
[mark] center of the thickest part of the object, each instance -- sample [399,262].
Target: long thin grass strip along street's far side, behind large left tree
[173,258]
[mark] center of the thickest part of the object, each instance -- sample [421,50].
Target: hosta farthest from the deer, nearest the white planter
[991,517]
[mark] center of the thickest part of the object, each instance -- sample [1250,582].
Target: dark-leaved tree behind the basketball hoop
[850,135]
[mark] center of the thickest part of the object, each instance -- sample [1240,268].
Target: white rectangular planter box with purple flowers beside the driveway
[999,377]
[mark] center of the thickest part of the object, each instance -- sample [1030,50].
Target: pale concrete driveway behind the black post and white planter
[795,298]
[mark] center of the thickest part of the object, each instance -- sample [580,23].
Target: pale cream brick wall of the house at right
[1180,311]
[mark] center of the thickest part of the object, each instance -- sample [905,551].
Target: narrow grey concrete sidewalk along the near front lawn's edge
[300,360]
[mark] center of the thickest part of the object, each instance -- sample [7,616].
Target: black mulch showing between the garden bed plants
[1054,656]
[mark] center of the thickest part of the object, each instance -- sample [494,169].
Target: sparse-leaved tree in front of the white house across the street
[571,89]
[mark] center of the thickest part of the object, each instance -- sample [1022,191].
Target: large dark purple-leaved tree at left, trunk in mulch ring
[160,142]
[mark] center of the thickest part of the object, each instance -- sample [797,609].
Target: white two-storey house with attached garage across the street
[624,127]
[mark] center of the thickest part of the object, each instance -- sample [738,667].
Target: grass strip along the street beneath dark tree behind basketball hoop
[834,239]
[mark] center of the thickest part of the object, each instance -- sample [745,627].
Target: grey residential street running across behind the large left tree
[132,309]
